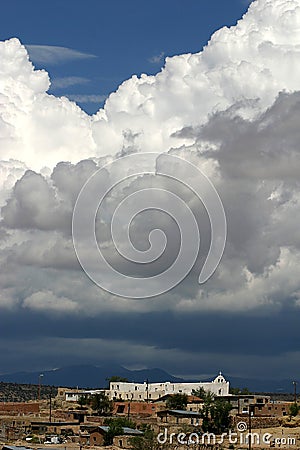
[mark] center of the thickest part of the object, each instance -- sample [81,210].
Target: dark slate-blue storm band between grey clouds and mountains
[185,344]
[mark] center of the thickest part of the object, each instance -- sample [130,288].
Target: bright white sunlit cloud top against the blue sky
[238,63]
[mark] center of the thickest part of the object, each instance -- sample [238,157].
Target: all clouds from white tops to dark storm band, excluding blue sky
[217,109]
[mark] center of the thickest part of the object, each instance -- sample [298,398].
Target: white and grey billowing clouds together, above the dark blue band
[233,110]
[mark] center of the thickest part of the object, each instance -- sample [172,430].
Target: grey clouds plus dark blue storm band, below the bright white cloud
[251,305]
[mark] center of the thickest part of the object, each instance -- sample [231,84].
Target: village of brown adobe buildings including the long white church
[66,422]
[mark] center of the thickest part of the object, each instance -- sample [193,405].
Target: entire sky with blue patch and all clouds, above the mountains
[207,82]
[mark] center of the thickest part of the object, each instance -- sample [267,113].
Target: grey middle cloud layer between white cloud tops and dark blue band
[255,167]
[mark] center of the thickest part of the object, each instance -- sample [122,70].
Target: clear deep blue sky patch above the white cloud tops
[111,40]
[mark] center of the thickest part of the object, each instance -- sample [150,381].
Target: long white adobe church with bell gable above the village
[153,391]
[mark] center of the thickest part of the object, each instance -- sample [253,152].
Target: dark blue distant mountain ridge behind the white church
[89,376]
